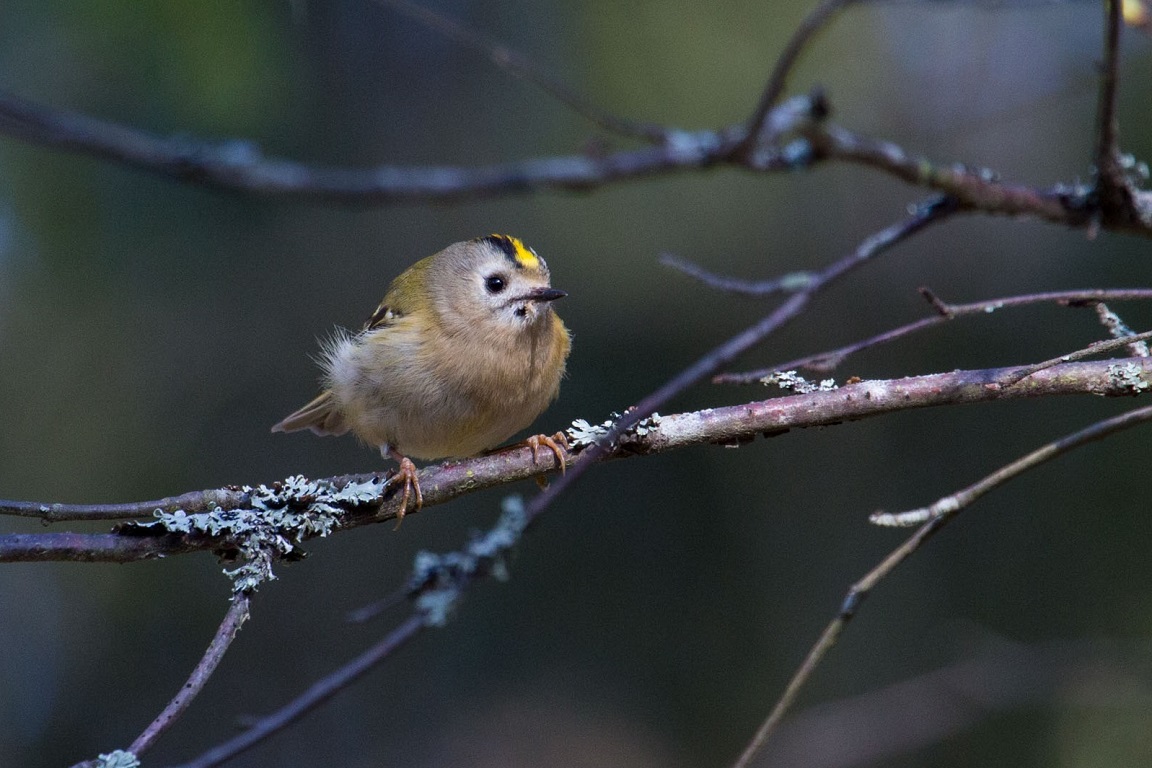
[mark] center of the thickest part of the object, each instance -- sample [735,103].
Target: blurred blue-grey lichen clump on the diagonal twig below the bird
[439,580]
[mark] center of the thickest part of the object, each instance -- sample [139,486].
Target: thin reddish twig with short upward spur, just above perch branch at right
[831,360]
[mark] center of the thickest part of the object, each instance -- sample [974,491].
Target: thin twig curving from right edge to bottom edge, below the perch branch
[943,516]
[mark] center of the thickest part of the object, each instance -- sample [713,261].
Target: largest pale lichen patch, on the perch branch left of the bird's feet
[279,518]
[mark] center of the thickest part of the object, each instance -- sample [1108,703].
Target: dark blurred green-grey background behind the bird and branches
[151,332]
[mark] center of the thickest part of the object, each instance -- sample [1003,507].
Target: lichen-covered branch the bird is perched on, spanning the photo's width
[295,511]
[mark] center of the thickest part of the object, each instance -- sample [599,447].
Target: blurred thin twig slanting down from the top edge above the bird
[524,69]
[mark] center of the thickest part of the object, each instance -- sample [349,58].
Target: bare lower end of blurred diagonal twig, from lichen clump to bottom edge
[314,697]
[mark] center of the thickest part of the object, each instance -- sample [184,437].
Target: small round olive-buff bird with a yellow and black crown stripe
[464,352]
